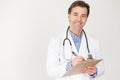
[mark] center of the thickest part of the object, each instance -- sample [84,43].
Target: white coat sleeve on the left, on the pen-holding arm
[55,69]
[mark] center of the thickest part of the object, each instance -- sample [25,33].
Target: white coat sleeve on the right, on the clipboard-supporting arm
[99,55]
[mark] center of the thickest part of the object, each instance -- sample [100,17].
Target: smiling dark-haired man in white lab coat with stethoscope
[73,46]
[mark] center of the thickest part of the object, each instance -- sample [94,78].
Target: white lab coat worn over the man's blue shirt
[56,57]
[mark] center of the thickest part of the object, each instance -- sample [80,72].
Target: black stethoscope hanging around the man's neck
[73,53]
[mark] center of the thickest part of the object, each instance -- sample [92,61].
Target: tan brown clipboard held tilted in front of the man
[78,69]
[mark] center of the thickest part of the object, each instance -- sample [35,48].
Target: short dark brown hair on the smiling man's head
[80,4]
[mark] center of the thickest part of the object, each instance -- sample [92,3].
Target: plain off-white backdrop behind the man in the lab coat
[26,26]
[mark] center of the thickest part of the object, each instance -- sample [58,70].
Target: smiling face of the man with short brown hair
[77,18]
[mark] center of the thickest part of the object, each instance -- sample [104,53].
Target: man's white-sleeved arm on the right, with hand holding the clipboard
[95,71]
